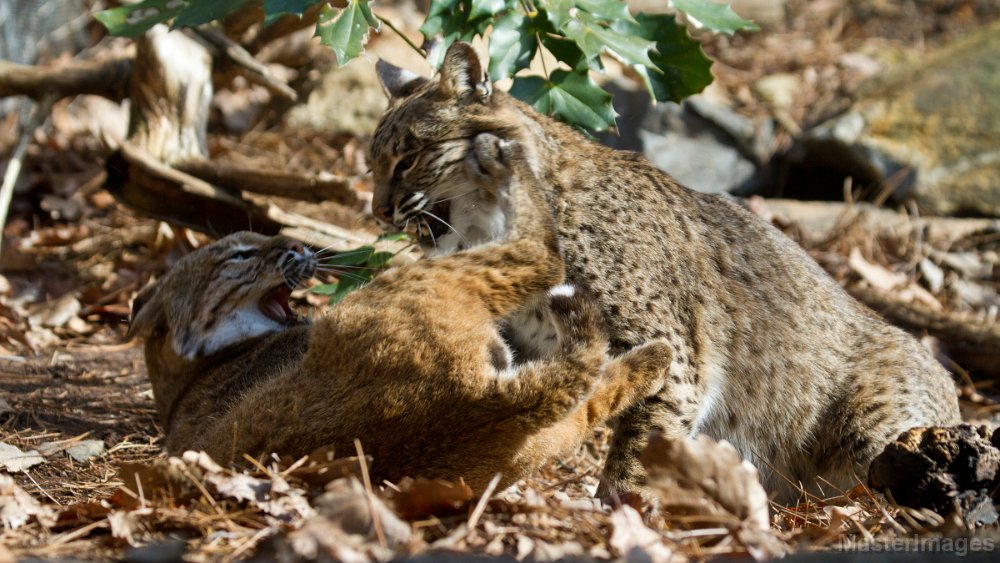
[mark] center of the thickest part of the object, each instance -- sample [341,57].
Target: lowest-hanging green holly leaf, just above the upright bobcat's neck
[569,95]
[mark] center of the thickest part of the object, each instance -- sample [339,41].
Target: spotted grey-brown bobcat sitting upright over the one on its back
[769,352]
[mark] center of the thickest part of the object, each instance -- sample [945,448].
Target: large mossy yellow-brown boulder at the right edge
[928,129]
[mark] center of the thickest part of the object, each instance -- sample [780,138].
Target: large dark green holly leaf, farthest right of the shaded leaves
[680,68]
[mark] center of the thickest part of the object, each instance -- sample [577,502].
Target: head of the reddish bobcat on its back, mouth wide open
[232,290]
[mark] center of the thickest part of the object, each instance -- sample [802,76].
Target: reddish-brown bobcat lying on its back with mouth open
[412,364]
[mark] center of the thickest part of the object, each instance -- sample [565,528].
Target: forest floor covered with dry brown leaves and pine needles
[74,391]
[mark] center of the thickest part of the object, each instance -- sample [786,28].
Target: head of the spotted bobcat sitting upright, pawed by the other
[427,169]
